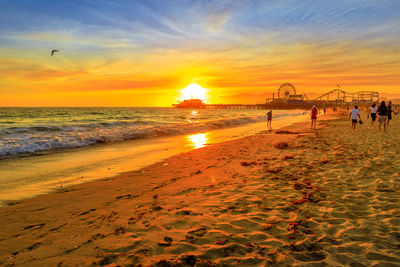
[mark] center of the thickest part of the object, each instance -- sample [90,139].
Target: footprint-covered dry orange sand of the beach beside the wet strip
[331,197]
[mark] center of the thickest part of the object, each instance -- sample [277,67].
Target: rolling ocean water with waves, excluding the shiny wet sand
[25,131]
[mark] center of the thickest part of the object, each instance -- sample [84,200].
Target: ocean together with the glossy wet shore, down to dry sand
[43,149]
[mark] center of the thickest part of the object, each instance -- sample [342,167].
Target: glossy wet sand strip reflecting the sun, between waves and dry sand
[102,161]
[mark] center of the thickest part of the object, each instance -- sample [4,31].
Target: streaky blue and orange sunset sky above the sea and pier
[143,53]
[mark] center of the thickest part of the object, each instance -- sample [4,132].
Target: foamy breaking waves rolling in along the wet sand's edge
[27,140]
